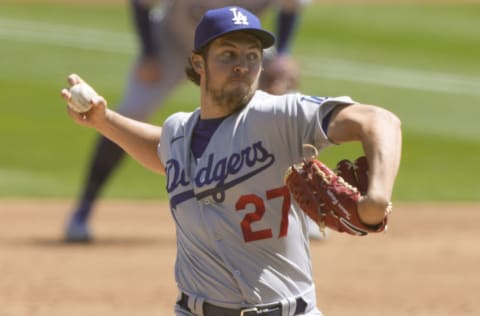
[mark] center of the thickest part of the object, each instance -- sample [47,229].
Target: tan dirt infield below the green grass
[427,264]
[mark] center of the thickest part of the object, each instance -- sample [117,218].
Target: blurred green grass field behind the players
[45,155]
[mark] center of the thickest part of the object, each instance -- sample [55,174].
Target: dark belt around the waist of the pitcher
[264,310]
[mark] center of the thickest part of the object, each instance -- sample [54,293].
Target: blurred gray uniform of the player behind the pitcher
[174,28]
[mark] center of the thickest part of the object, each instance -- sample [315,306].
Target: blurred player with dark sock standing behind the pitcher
[165,30]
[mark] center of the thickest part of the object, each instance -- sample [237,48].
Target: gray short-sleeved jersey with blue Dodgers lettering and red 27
[241,239]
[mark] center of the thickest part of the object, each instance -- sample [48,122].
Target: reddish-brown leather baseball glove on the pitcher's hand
[329,198]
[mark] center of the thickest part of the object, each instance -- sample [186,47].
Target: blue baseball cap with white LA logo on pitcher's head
[218,22]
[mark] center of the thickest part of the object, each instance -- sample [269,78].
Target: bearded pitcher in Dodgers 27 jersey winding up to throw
[242,243]
